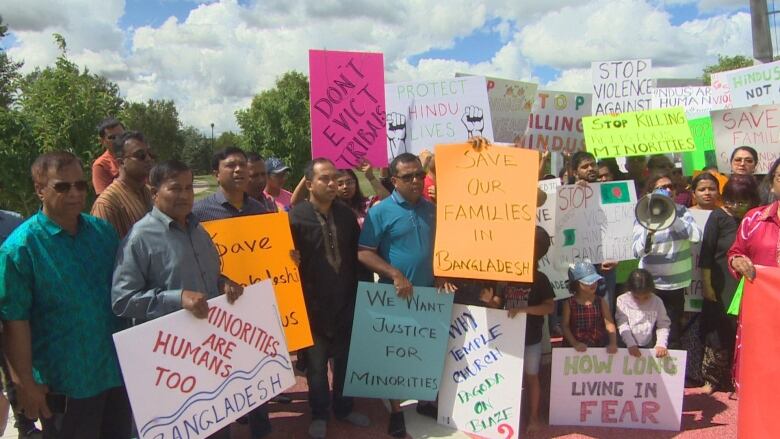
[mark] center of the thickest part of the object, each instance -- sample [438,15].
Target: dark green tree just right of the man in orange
[159,121]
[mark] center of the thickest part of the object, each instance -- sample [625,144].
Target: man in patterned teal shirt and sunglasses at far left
[55,291]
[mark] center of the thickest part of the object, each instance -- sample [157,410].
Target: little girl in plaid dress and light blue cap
[587,320]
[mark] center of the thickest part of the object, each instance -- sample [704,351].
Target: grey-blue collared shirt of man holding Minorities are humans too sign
[158,259]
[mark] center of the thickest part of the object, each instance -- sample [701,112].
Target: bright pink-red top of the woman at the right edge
[758,237]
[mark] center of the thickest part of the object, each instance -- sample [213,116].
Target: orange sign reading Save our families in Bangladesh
[485,212]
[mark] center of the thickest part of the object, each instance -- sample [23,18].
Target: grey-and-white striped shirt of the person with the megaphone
[669,259]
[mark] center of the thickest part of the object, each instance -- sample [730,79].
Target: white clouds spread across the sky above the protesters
[214,60]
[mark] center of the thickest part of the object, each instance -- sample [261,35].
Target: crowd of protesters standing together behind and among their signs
[69,280]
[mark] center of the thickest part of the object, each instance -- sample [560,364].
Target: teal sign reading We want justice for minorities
[398,345]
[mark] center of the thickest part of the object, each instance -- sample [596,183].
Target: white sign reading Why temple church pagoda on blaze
[483,378]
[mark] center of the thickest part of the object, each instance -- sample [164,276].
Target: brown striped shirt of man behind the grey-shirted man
[122,206]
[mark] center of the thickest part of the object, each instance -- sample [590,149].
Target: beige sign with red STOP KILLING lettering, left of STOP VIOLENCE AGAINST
[555,123]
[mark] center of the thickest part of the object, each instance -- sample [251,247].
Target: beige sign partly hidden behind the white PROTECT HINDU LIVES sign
[510,105]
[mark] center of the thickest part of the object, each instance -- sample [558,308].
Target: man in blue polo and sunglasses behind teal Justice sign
[397,242]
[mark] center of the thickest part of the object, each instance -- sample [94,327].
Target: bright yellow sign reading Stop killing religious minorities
[648,132]
